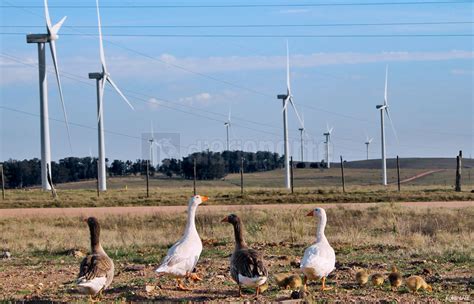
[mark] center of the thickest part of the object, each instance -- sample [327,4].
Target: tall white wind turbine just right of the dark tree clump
[287,98]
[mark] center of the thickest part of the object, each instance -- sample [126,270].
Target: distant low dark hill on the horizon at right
[411,163]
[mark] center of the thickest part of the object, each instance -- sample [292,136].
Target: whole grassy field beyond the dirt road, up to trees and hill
[311,186]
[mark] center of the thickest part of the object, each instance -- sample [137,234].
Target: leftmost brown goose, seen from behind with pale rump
[97,269]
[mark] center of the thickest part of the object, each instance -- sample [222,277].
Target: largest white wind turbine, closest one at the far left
[41,40]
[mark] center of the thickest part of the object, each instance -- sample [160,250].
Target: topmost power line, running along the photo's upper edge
[248,5]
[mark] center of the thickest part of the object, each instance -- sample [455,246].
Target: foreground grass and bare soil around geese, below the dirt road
[435,243]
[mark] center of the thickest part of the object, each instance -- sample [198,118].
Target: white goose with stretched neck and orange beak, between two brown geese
[184,255]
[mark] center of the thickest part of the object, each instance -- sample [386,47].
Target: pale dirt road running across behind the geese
[101,211]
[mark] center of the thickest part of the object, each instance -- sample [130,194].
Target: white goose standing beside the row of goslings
[319,259]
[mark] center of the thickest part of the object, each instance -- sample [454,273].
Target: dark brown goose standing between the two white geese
[246,265]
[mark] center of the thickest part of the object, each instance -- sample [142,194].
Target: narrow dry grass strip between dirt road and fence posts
[136,196]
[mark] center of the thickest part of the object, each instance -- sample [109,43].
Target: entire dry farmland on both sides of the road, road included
[369,226]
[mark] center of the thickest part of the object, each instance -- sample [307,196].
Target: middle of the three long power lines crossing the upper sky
[254,25]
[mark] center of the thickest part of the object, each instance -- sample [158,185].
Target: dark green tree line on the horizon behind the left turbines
[209,165]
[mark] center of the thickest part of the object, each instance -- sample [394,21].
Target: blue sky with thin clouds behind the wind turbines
[186,85]
